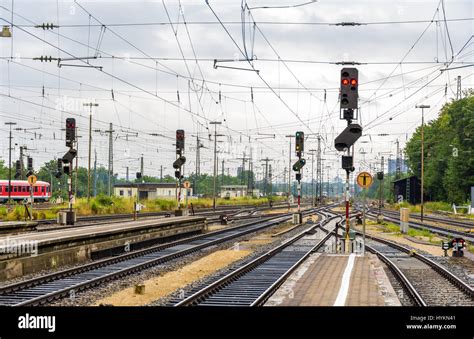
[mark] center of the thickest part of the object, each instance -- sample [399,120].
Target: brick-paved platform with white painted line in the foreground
[337,280]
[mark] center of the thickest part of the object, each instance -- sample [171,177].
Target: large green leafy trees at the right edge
[448,142]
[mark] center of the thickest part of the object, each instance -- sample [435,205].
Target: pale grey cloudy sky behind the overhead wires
[150,67]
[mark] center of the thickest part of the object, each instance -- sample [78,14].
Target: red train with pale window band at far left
[21,190]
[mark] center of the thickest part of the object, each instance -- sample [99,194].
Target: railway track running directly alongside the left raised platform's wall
[57,285]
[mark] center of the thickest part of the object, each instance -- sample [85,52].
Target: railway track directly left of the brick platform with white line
[254,282]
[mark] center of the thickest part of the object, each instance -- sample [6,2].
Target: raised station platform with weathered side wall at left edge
[27,253]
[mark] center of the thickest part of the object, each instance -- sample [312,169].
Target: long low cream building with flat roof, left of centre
[150,190]
